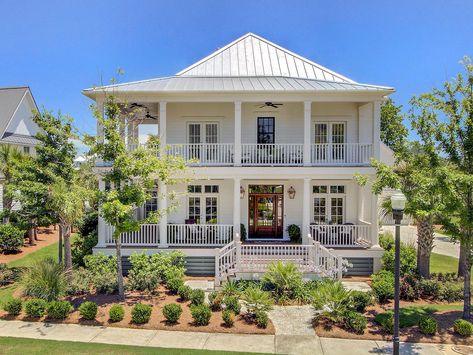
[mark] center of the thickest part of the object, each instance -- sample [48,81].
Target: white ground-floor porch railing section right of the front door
[341,235]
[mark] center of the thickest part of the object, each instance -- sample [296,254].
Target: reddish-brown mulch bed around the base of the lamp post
[373,331]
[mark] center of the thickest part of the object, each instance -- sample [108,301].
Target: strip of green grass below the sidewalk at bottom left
[52,347]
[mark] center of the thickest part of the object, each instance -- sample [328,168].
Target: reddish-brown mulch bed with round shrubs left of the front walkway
[157,321]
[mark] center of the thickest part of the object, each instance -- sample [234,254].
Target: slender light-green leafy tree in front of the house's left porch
[130,174]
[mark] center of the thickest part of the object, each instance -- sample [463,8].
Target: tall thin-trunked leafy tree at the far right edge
[444,120]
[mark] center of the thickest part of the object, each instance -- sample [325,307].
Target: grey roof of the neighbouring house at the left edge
[10,100]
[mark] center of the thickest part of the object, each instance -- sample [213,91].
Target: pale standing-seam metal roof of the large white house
[249,64]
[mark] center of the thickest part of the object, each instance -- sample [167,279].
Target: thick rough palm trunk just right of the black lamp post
[425,244]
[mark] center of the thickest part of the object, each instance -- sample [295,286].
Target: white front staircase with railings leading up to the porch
[236,258]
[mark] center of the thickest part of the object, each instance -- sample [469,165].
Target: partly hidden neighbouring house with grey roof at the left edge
[16,122]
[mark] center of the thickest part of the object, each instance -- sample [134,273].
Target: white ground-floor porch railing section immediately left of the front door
[199,235]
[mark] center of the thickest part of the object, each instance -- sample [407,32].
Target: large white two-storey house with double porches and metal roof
[278,139]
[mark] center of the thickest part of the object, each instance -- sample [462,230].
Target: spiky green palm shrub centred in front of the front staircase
[282,278]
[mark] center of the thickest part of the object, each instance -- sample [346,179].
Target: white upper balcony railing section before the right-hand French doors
[341,154]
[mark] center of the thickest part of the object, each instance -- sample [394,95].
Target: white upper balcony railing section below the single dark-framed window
[272,154]
